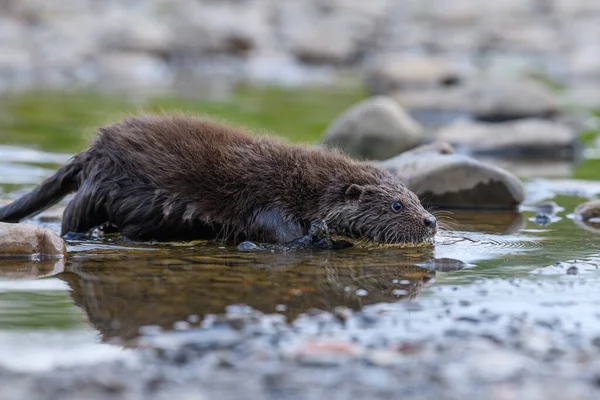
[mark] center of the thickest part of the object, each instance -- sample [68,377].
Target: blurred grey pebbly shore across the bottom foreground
[462,343]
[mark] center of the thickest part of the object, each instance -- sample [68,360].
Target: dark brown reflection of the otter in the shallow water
[121,293]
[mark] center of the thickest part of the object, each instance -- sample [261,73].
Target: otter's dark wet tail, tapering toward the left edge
[50,192]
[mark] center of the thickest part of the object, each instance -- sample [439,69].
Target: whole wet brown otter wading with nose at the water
[168,178]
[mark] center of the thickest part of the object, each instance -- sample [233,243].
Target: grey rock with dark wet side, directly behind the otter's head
[457,181]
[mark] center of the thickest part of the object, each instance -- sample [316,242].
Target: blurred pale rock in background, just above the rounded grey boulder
[398,72]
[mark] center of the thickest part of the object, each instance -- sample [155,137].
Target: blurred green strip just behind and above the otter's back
[65,122]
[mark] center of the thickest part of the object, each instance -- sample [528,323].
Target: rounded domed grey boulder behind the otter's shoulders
[376,128]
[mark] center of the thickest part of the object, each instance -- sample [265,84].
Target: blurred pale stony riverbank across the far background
[201,47]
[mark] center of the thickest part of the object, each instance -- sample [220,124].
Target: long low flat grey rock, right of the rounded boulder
[528,137]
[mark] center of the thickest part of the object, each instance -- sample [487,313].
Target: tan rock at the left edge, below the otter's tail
[32,241]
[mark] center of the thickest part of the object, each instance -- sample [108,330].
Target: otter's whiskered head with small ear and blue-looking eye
[387,212]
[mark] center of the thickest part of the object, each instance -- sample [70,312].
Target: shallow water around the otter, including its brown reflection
[89,308]
